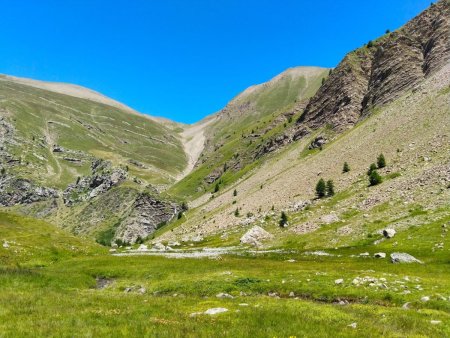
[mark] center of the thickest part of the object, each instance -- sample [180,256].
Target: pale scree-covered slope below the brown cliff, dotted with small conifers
[412,133]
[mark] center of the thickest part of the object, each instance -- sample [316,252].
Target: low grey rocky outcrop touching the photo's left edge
[15,191]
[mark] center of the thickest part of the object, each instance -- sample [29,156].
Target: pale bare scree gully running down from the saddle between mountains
[193,139]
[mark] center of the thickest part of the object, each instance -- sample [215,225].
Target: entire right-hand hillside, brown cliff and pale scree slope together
[409,124]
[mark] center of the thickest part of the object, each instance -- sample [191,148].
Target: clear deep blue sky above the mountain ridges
[184,59]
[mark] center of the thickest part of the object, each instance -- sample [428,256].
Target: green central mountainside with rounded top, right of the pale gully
[237,136]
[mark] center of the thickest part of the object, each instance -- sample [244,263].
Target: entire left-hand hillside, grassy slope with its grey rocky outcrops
[64,150]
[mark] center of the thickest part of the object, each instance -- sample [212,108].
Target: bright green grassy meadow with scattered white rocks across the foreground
[78,289]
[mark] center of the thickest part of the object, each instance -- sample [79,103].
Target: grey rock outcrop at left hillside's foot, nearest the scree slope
[148,213]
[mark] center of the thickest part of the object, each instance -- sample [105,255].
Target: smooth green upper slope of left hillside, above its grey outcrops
[85,129]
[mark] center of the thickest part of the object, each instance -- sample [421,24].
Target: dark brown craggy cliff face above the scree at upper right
[382,71]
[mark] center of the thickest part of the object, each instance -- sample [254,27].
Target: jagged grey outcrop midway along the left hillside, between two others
[103,178]
